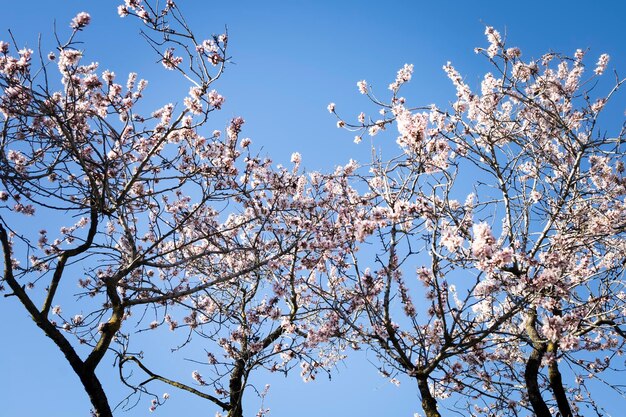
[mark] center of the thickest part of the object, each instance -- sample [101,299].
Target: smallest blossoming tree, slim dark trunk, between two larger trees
[268,318]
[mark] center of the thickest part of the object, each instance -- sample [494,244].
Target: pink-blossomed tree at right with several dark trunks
[508,208]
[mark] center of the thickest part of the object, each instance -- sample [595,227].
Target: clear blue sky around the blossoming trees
[291,59]
